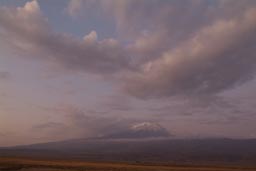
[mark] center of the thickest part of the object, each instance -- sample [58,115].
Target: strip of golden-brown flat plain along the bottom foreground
[22,164]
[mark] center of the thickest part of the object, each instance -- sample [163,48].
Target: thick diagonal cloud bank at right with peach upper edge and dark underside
[218,57]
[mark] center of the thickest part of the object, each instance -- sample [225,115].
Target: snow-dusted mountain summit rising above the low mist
[140,130]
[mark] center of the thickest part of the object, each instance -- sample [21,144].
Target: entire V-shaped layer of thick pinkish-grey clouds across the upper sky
[174,48]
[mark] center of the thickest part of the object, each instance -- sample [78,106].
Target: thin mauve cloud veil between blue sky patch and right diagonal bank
[156,26]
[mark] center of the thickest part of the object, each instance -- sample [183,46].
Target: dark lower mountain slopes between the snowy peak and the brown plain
[164,150]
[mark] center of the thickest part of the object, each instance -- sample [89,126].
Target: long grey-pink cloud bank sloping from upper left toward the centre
[28,31]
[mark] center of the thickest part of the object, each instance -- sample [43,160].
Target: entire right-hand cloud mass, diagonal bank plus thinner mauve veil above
[183,47]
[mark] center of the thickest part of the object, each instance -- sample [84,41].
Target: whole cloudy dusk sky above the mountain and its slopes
[77,69]
